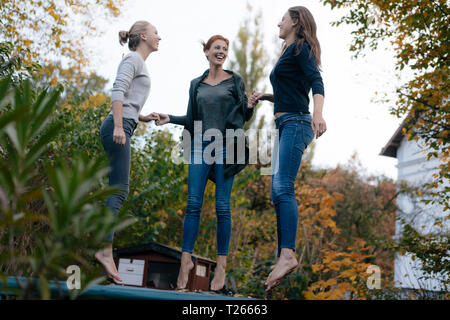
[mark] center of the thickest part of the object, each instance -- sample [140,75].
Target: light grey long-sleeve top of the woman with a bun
[132,85]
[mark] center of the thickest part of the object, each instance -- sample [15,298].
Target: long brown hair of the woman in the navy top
[306,31]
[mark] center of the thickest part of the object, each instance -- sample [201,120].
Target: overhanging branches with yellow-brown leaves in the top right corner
[418,33]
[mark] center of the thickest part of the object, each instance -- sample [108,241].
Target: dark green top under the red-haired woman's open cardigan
[215,103]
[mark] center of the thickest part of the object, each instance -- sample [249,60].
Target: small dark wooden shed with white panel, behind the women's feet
[154,265]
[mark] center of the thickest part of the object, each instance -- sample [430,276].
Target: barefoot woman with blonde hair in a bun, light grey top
[130,91]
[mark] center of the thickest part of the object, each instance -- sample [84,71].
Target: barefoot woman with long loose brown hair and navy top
[295,74]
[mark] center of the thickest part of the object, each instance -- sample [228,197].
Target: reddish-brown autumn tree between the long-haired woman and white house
[365,211]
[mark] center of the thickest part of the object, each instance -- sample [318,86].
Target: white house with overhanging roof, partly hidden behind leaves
[415,169]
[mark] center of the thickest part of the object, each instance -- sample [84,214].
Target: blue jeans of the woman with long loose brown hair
[295,134]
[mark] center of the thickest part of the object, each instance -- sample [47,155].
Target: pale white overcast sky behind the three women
[355,122]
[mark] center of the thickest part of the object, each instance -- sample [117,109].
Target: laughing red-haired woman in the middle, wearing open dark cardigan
[217,99]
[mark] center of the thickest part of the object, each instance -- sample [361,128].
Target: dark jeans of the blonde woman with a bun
[119,160]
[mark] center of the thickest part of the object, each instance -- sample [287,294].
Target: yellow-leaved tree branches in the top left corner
[53,30]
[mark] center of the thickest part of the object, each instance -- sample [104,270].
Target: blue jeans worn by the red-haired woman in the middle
[197,179]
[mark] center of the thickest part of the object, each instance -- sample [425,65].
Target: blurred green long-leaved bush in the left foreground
[72,221]
